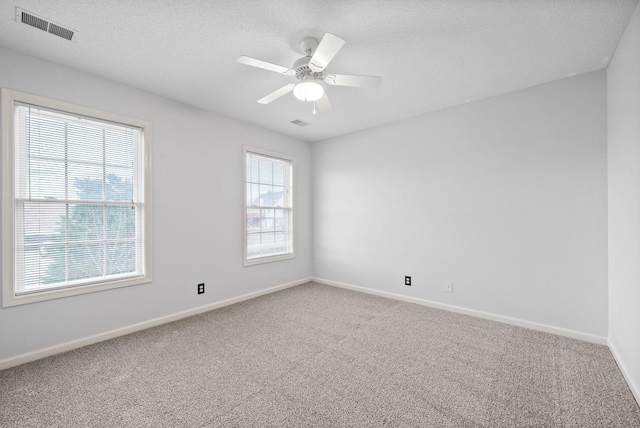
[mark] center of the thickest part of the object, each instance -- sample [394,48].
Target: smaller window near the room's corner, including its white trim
[268,214]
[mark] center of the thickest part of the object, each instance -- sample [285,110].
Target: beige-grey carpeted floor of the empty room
[318,356]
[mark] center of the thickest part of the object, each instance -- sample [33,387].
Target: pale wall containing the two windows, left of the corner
[197,212]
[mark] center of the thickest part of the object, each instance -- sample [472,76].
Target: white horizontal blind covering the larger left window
[78,200]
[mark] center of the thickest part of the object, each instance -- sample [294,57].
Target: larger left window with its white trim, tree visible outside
[76,199]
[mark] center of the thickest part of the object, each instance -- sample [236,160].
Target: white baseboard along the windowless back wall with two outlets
[472,312]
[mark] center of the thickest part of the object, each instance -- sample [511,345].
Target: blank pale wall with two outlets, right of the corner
[505,197]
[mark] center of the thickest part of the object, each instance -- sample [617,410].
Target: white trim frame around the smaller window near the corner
[279,257]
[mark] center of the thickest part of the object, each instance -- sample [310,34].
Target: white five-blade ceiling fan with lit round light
[310,71]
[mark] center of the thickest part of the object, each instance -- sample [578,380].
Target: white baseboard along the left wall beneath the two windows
[68,346]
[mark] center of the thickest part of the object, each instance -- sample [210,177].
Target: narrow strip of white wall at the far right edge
[623,90]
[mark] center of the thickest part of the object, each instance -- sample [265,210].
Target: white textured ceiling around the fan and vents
[430,54]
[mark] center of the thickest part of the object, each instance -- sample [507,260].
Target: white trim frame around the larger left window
[8,99]
